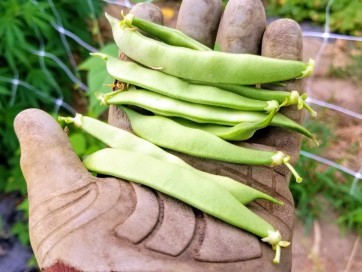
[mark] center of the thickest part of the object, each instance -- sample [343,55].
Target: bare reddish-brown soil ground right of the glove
[326,248]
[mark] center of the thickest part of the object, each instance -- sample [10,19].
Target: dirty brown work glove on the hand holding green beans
[82,223]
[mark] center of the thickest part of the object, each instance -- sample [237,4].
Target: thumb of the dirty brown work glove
[47,160]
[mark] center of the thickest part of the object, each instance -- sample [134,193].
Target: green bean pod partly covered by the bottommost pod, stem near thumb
[121,139]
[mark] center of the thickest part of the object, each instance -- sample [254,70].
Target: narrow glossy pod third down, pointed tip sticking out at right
[167,106]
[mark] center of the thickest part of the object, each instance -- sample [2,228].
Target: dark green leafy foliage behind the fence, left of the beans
[26,26]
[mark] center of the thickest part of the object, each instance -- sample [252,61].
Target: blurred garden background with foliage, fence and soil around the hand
[44,63]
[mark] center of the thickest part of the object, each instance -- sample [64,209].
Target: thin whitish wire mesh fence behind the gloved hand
[69,67]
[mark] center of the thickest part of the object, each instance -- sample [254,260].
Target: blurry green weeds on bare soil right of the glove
[325,185]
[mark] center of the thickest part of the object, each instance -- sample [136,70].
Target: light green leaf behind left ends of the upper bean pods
[97,77]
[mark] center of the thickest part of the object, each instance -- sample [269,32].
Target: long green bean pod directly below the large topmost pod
[156,81]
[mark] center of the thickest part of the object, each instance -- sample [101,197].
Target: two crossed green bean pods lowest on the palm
[219,196]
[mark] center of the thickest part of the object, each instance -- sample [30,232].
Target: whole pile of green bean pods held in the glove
[198,102]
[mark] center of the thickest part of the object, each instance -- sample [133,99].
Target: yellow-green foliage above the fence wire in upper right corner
[346,15]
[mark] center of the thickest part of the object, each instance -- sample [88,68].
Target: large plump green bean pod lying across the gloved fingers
[205,66]
